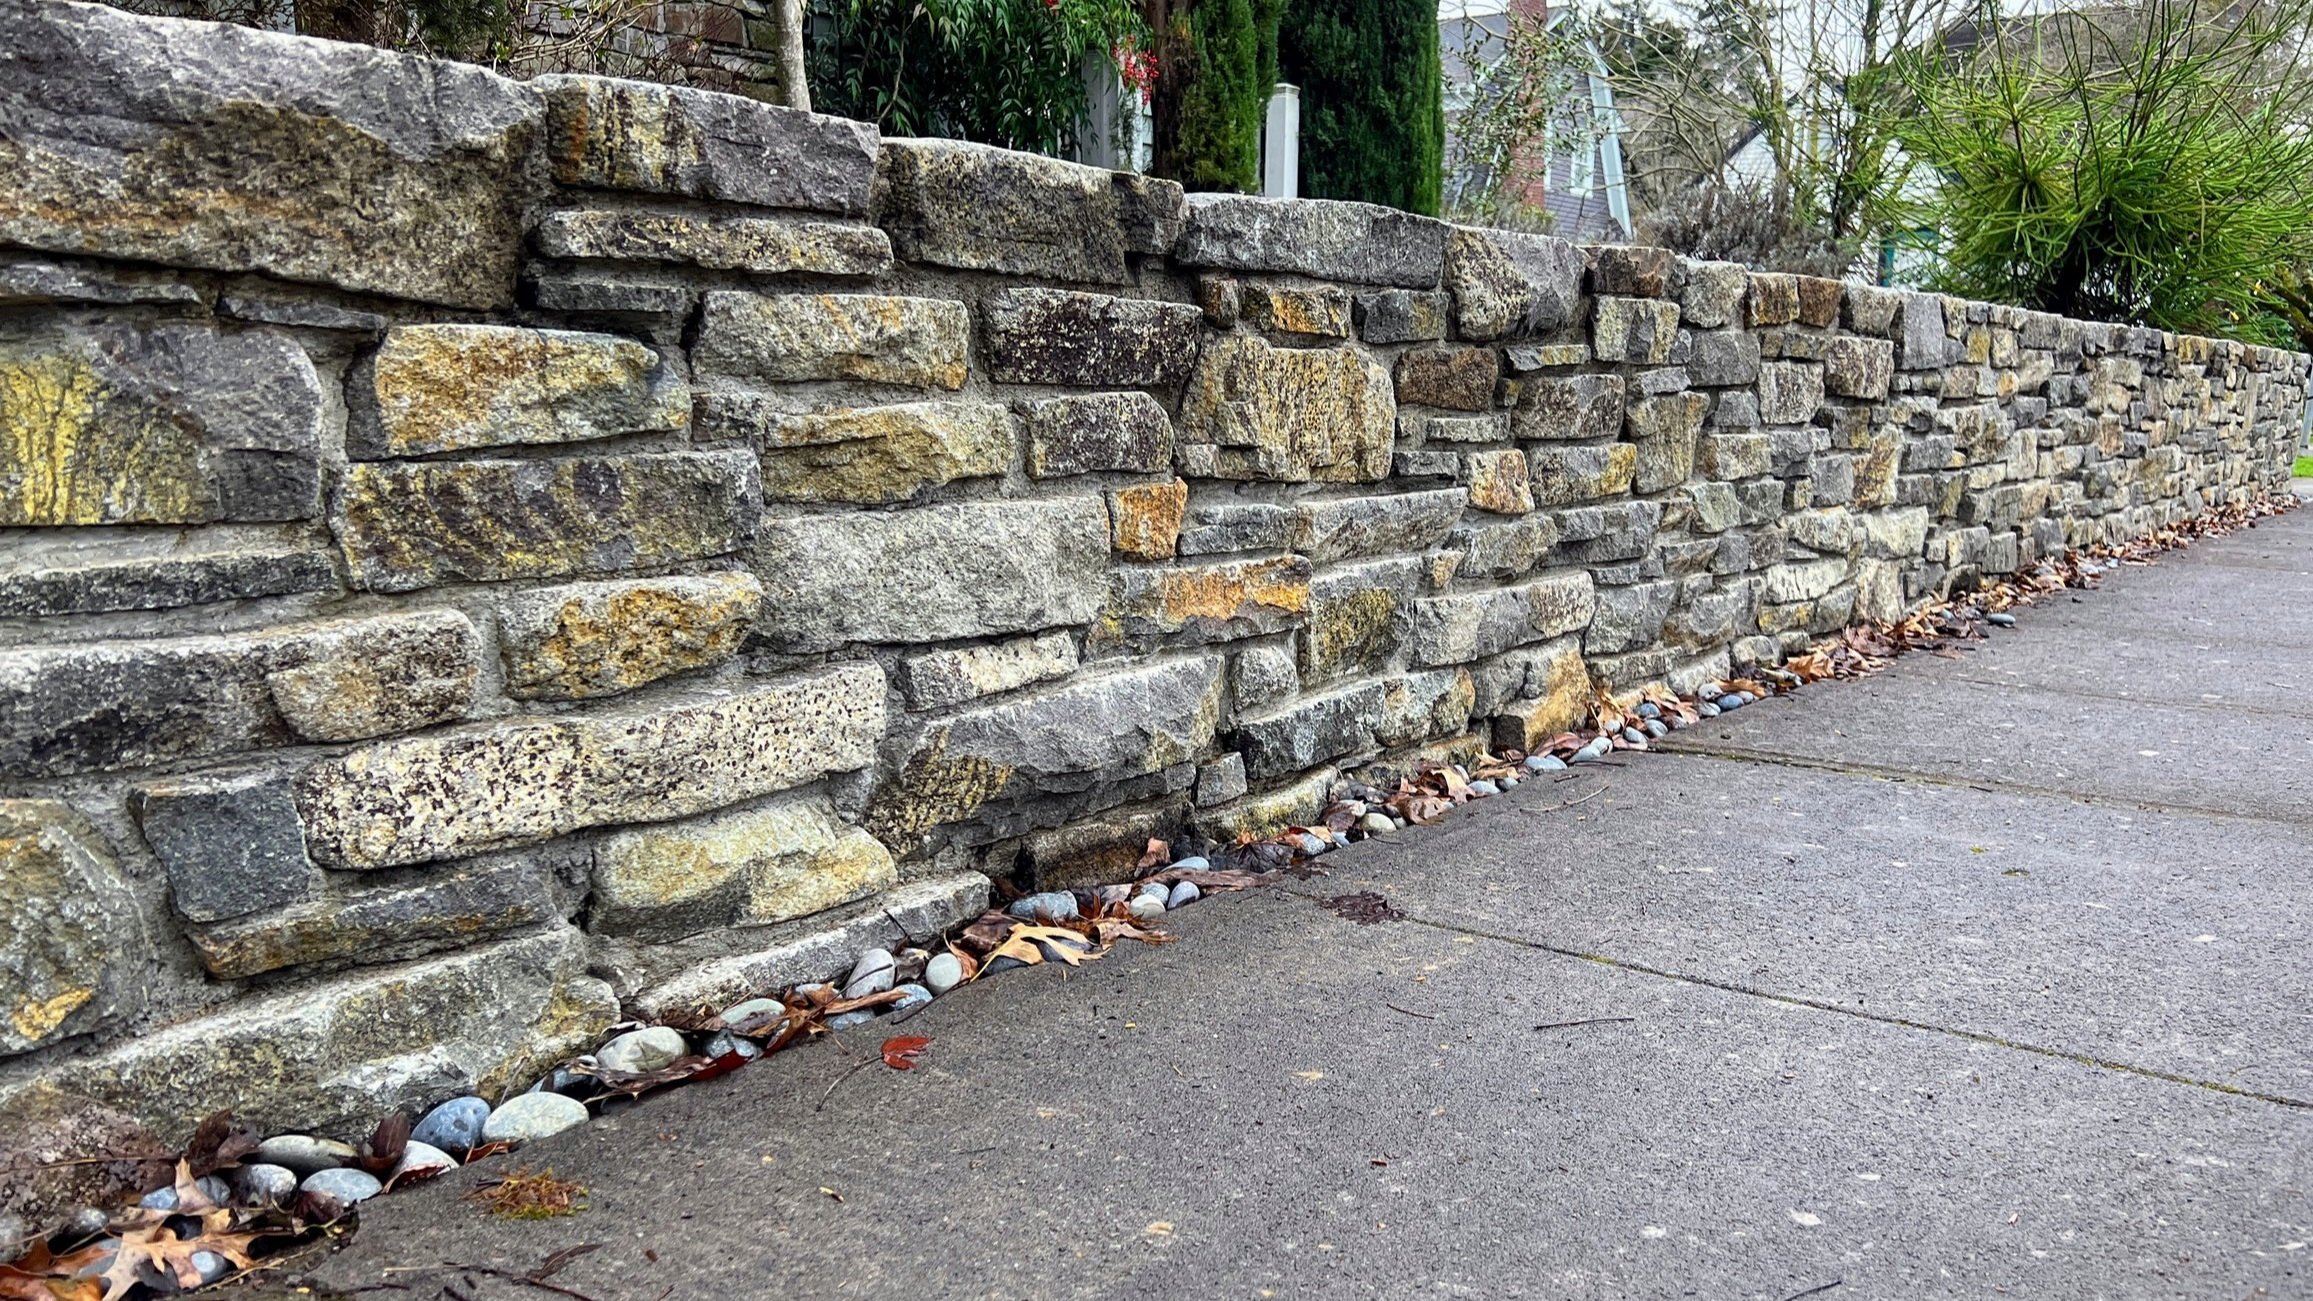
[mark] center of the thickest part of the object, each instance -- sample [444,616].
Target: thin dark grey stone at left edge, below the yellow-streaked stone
[128,578]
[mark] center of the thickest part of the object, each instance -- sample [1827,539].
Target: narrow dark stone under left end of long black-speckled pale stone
[383,925]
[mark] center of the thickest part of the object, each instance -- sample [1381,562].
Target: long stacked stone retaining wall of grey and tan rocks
[482,554]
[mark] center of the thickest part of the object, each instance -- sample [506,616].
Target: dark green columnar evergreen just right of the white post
[1373,112]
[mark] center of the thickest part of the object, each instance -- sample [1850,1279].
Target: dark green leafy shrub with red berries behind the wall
[989,71]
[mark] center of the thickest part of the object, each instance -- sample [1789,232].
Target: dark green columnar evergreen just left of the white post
[1218,94]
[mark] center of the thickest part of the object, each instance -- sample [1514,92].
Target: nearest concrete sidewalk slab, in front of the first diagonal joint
[1296,1105]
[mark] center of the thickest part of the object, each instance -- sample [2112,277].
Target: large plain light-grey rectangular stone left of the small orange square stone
[936,573]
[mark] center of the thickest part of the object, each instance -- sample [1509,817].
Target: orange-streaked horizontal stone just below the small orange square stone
[1204,603]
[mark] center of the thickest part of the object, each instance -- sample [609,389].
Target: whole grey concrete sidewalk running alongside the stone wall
[1986,976]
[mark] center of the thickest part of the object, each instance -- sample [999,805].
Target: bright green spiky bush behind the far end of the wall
[2150,168]
